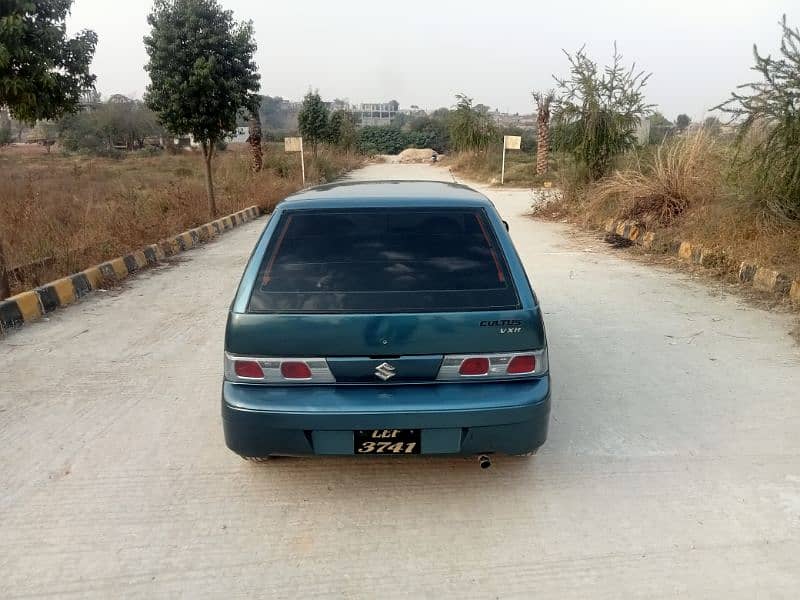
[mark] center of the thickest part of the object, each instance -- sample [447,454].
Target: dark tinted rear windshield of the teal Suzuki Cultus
[383,260]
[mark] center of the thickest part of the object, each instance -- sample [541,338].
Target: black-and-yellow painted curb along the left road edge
[33,304]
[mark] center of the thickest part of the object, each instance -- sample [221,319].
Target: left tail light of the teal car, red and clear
[247,369]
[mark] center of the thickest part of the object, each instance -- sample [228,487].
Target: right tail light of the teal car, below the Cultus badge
[493,366]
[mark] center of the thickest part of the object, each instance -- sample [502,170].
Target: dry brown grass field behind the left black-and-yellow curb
[60,214]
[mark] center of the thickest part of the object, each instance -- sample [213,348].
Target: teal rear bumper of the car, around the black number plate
[455,418]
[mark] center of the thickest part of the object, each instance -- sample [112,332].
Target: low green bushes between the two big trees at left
[119,124]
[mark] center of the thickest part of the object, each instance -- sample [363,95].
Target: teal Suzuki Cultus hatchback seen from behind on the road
[385,318]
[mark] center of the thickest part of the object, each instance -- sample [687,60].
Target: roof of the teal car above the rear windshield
[388,193]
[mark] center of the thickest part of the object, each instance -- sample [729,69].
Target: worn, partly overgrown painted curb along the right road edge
[761,278]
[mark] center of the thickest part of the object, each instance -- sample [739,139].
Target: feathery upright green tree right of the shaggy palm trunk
[599,110]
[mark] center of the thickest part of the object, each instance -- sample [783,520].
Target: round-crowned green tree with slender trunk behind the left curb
[202,73]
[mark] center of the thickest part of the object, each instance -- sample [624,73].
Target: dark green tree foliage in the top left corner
[42,72]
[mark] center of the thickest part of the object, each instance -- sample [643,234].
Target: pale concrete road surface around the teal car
[672,468]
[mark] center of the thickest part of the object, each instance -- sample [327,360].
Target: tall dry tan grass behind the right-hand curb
[686,190]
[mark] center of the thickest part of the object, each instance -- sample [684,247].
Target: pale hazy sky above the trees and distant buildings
[424,52]
